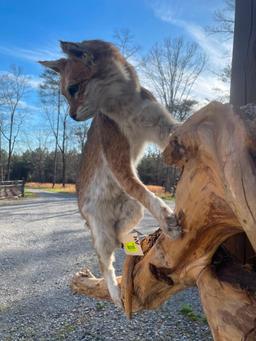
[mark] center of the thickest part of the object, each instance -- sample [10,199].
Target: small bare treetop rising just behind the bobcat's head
[124,40]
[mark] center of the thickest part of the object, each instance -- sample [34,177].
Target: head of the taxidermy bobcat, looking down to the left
[93,74]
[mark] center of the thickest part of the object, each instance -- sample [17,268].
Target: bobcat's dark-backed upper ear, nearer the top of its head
[77,50]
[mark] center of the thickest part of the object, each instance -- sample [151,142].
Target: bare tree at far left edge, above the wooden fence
[13,88]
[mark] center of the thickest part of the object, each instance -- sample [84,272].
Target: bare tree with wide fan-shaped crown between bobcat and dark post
[171,69]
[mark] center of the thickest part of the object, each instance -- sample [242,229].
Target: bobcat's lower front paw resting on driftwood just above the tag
[170,225]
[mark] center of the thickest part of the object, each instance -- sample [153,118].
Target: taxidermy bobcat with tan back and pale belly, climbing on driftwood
[98,82]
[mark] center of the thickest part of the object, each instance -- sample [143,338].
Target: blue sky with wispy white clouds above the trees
[30,30]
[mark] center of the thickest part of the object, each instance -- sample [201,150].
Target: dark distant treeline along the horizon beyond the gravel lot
[37,166]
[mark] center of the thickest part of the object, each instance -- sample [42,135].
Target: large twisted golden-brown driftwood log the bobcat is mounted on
[215,200]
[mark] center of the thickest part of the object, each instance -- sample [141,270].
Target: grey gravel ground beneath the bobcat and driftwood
[43,243]
